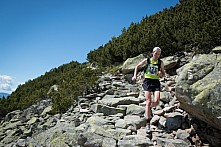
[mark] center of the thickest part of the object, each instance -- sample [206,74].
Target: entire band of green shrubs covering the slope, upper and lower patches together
[193,25]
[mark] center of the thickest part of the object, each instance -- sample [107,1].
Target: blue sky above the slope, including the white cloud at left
[38,35]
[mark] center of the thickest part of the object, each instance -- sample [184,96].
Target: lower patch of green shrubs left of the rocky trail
[72,79]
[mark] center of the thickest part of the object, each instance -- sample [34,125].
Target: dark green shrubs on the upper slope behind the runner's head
[193,25]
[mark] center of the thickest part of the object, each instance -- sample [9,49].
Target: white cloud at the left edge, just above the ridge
[6,83]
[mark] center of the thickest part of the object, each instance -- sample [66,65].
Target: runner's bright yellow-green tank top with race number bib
[152,70]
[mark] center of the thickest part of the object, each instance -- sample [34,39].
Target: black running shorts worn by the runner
[151,85]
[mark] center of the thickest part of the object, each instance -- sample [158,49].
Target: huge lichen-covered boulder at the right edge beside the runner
[198,88]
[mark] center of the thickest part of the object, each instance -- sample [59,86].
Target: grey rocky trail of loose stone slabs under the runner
[112,115]
